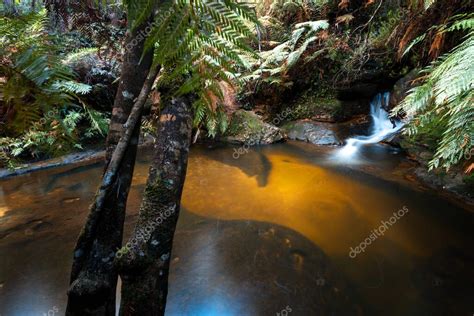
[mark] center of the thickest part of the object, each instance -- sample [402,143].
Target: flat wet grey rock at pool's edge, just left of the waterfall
[317,133]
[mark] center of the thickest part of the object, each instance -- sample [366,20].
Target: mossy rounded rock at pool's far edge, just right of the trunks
[246,127]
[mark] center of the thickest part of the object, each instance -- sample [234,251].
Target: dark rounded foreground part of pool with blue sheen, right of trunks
[279,269]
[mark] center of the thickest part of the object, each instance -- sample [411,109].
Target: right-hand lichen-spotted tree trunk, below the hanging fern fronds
[144,261]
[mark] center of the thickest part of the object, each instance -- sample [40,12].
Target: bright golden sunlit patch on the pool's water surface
[332,210]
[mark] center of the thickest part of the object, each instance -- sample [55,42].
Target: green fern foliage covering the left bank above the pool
[39,93]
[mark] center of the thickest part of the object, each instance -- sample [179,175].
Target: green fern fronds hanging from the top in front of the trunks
[204,42]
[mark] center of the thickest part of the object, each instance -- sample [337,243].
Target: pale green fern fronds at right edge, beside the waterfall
[446,94]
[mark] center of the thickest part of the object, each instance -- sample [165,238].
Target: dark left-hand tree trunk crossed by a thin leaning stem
[93,276]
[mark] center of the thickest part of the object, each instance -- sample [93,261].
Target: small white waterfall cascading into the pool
[381,129]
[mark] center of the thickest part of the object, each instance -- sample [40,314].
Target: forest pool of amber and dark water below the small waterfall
[270,232]
